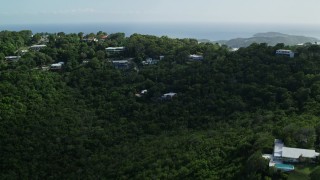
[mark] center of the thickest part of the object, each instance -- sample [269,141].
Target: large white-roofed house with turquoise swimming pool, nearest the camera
[282,155]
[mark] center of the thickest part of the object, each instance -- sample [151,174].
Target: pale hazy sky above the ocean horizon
[184,11]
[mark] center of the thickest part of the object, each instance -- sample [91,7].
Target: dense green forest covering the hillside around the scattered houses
[85,122]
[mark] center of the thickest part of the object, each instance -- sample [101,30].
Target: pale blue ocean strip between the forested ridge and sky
[210,31]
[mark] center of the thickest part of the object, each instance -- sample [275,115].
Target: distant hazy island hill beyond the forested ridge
[271,38]
